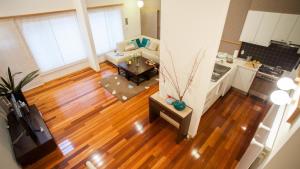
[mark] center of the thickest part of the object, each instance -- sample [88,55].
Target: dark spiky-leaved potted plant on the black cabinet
[8,85]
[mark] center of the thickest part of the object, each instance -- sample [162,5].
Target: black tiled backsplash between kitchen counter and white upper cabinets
[274,55]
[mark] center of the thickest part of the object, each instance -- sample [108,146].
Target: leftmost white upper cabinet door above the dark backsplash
[251,26]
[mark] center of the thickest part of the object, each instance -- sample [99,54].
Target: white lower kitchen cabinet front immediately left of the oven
[243,78]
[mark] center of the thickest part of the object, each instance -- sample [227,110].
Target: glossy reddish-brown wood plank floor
[88,123]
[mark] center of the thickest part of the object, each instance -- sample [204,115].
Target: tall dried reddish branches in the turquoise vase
[167,75]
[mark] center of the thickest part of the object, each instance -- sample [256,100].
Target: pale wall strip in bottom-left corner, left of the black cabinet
[7,159]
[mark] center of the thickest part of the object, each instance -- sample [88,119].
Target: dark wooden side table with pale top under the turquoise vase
[158,104]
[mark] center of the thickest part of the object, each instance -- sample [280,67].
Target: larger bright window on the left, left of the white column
[54,40]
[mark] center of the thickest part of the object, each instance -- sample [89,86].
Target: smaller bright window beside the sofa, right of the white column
[107,28]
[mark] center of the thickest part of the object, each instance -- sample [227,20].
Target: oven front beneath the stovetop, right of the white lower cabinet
[263,85]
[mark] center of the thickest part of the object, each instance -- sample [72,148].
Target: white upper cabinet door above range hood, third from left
[284,27]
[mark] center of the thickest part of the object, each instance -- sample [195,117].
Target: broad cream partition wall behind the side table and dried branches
[186,28]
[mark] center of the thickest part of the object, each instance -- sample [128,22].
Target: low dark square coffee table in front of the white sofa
[138,71]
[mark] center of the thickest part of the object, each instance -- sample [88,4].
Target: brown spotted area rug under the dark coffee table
[123,89]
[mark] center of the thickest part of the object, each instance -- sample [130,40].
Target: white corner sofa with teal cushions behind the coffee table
[122,55]
